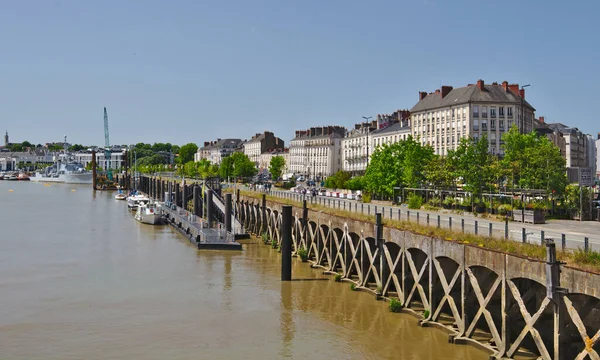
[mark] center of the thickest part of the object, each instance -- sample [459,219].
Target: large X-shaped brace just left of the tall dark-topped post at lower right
[529,323]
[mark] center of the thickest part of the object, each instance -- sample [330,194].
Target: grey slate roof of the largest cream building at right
[469,94]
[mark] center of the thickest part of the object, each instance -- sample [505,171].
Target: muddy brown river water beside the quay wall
[81,279]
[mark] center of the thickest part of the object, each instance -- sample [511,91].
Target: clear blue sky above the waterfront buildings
[191,71]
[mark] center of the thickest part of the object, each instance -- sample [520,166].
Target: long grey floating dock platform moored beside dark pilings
[197,231]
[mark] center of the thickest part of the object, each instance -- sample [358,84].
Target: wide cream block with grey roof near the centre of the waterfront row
[316,152]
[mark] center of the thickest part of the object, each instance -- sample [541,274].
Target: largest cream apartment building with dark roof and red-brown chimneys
[442,118]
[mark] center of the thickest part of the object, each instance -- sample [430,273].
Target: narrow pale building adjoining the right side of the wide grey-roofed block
[356,147]
